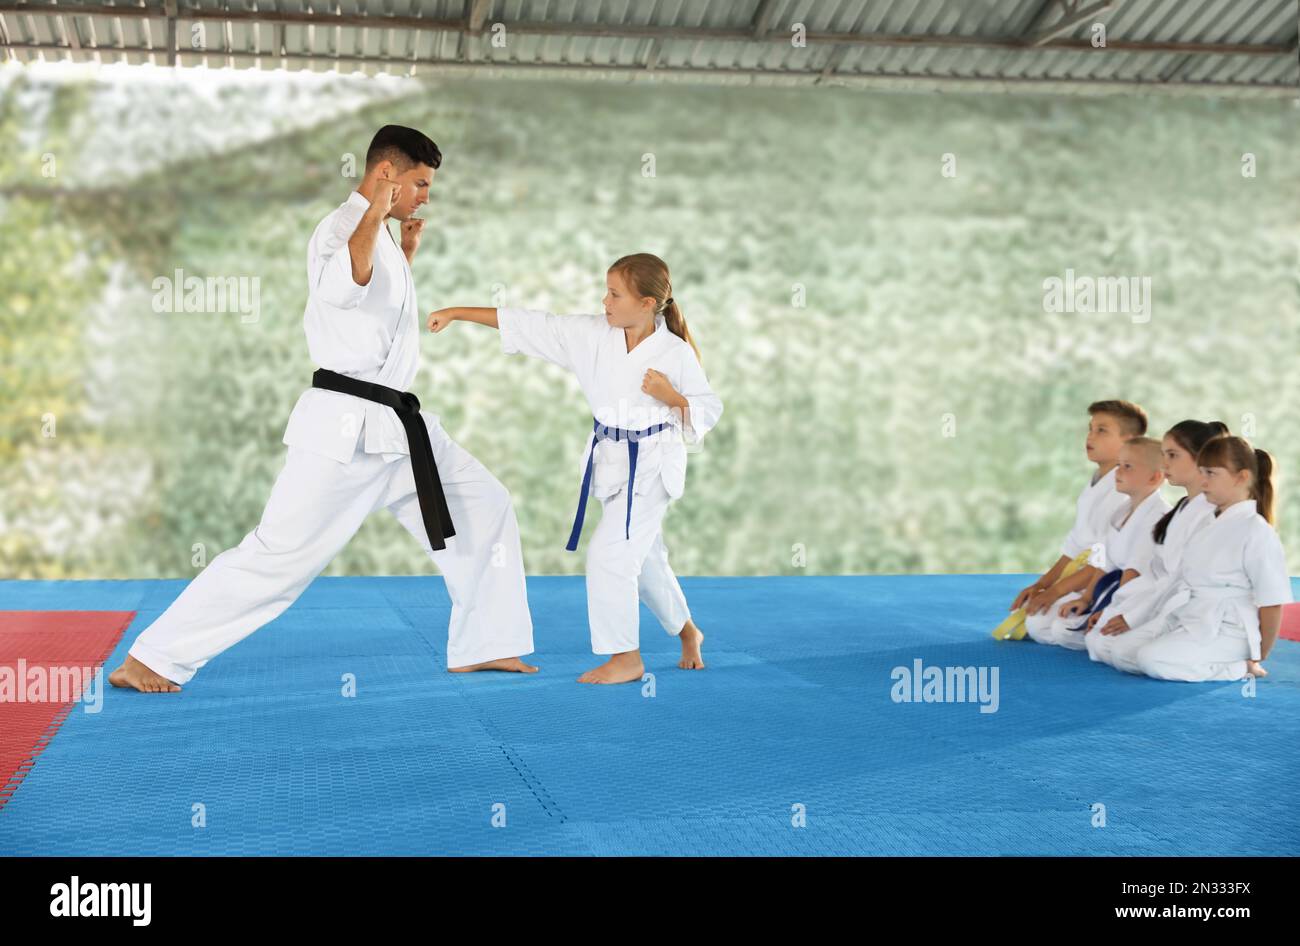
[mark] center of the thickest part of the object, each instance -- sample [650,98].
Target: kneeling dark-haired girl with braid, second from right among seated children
[1113,639]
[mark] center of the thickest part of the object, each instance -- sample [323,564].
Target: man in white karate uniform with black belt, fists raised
[358,442]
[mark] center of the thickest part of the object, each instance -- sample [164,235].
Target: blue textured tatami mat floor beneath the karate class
[788,744]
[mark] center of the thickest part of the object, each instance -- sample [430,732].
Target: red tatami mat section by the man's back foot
[46,640]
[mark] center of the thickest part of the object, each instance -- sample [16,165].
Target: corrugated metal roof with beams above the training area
[1198,46]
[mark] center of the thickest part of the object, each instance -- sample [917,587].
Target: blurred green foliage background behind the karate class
[924,311]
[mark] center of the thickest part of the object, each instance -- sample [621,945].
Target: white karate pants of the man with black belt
[315,507]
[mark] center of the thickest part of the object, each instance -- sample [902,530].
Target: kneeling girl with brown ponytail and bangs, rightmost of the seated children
[1224,617]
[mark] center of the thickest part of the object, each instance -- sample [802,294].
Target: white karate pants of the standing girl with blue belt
[621,572]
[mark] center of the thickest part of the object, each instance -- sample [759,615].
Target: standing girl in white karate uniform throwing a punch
[649,398]
